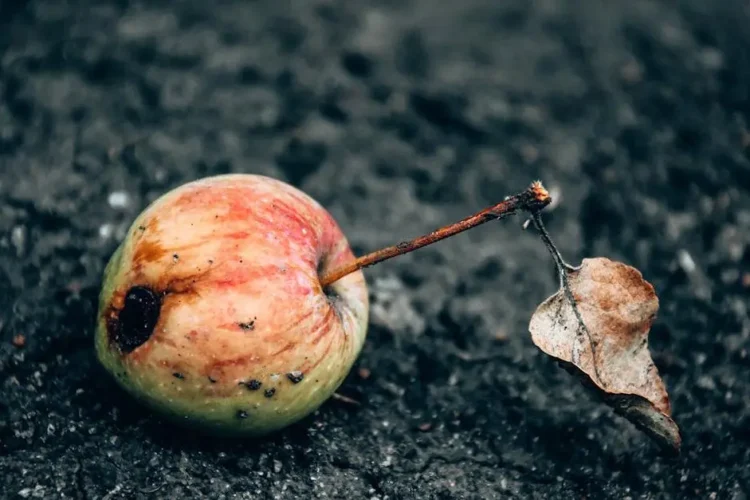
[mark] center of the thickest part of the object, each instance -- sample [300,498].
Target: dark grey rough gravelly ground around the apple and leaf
[398,117]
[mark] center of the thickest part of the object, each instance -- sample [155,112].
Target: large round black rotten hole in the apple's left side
[134,324]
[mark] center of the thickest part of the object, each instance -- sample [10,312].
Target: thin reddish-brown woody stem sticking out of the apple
[532,200]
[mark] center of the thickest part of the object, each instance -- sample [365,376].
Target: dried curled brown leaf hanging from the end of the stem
[603,332]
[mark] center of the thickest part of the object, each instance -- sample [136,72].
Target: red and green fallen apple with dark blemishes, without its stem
[227,328]
